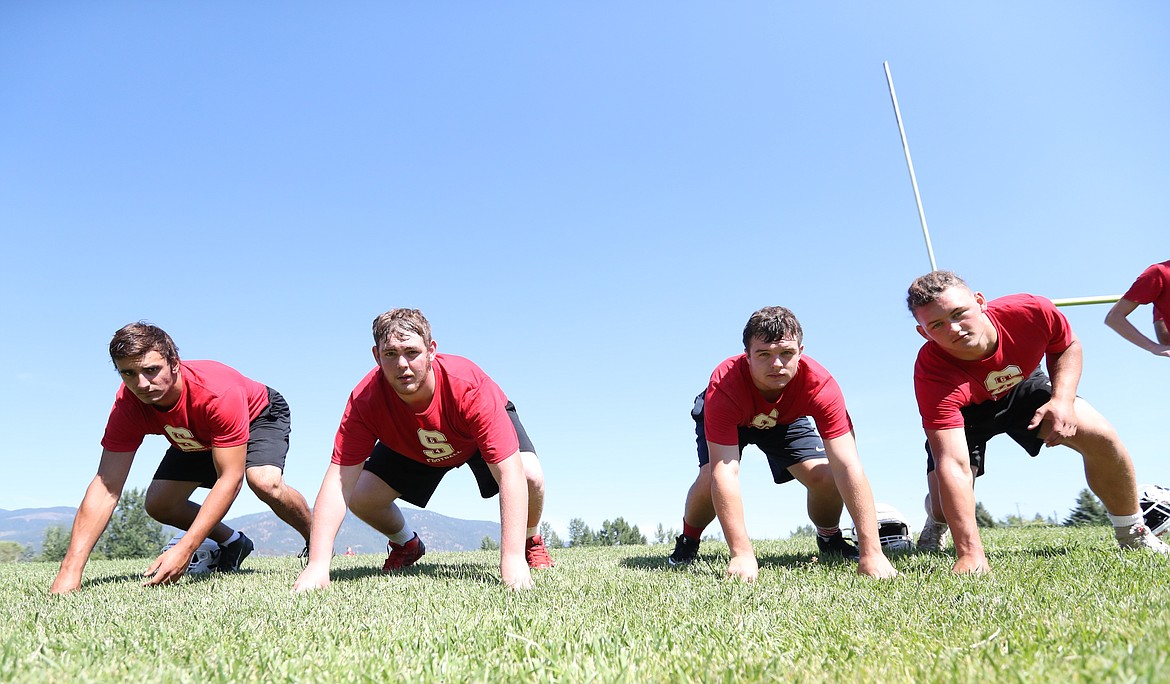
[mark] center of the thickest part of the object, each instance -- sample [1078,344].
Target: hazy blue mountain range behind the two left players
[273,537]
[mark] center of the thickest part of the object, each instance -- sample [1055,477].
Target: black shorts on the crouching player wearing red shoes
[416,482]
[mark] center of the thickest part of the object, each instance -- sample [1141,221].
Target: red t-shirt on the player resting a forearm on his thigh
[1029,328]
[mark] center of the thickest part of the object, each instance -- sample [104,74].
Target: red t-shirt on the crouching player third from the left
[734,402]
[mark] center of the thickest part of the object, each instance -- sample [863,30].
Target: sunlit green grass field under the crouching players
[1065,605]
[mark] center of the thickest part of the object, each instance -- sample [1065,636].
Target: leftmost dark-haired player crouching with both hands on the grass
[224,429]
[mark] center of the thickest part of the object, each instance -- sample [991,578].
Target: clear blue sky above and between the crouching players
[587,199]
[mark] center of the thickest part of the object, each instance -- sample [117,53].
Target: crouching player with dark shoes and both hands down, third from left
[765,397]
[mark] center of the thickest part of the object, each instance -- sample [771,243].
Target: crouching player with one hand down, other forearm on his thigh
[978,377]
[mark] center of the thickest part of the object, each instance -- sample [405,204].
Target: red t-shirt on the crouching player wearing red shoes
[466,416]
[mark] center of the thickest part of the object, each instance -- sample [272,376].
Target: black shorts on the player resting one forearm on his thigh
[1009,416]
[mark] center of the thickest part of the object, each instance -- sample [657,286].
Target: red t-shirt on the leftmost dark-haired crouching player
[216,409]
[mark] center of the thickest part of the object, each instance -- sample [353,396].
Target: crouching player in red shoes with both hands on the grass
[410,422]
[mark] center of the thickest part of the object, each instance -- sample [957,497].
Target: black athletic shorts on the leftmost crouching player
[269,445]
